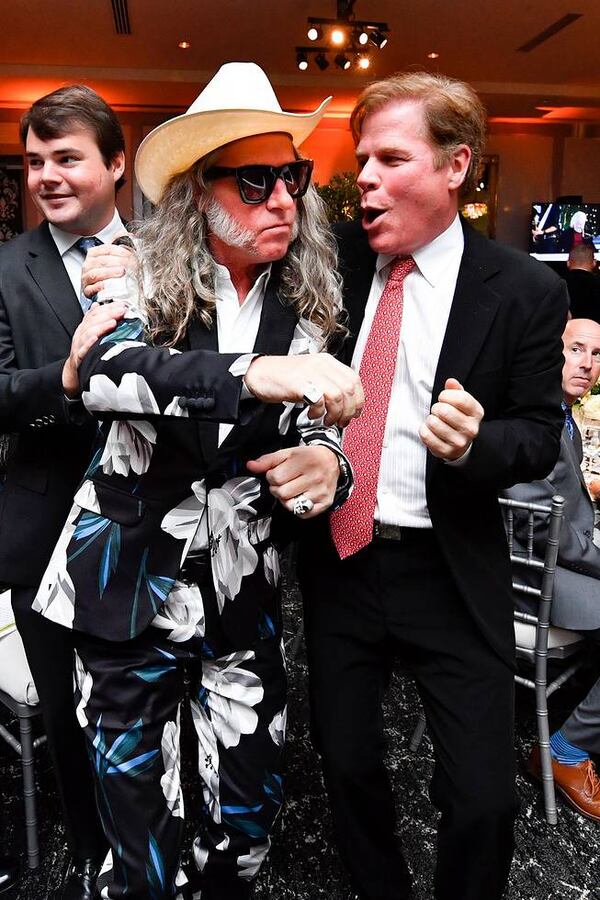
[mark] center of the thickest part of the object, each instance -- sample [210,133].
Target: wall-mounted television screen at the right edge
[556,227]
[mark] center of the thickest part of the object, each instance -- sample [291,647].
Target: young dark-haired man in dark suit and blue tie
[75,152]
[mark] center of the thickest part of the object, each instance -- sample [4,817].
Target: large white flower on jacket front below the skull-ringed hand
[233,556]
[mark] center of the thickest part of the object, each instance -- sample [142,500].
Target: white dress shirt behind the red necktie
[428,293]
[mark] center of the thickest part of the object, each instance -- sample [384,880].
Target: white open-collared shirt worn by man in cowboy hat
[237,324]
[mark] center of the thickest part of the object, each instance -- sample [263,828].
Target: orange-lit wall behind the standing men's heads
[537,161]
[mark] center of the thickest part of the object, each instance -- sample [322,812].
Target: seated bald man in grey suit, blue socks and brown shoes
[577,584]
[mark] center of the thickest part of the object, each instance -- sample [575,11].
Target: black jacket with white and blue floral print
[159,487]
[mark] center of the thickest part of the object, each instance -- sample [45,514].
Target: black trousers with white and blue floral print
[129,696]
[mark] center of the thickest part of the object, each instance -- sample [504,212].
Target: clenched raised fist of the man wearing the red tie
[453,423]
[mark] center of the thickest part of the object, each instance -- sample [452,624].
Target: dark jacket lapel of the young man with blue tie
[48,271]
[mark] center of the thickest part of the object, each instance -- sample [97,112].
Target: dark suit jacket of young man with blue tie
[39,312]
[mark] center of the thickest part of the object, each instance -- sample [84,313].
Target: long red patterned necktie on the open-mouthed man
[352,524]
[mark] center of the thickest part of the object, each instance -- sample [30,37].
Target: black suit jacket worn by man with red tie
[503,343]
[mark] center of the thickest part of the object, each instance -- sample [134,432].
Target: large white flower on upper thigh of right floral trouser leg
[232,692]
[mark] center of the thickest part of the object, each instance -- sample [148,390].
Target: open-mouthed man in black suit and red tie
[458,344]
